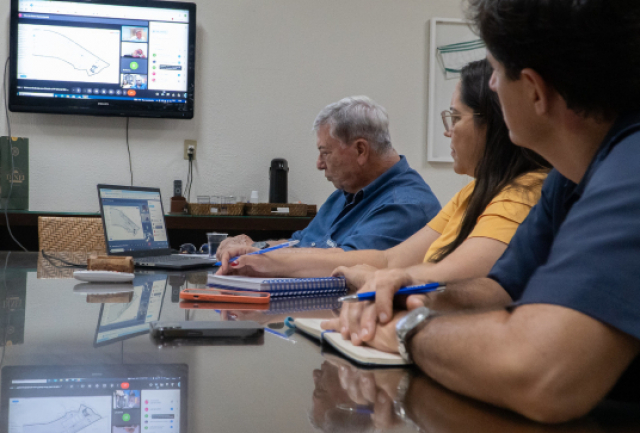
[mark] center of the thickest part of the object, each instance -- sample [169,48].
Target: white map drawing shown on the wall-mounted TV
[68,53]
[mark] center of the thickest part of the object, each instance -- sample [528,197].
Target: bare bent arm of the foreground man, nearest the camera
[547,362]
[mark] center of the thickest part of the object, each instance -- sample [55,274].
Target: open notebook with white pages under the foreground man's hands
[361,354]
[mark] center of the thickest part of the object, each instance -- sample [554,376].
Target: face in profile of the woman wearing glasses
[467,139]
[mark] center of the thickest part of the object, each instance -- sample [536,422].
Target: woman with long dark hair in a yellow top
[463,241]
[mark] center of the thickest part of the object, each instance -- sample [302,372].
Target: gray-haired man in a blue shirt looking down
[380,201]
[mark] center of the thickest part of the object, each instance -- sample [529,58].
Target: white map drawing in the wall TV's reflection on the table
[60,415]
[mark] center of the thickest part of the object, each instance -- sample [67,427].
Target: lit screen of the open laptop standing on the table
[133,220]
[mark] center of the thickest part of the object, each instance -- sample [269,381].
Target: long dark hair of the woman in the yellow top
[502,162]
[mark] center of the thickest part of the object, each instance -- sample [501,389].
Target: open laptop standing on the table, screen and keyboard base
[134,225]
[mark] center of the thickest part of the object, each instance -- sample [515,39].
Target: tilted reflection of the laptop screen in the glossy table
[119,322]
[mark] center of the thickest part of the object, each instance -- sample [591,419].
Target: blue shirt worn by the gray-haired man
[381,215]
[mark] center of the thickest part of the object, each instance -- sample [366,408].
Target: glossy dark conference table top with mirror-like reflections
[52,325]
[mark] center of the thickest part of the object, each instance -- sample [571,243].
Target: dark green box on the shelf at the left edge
[19,199]
